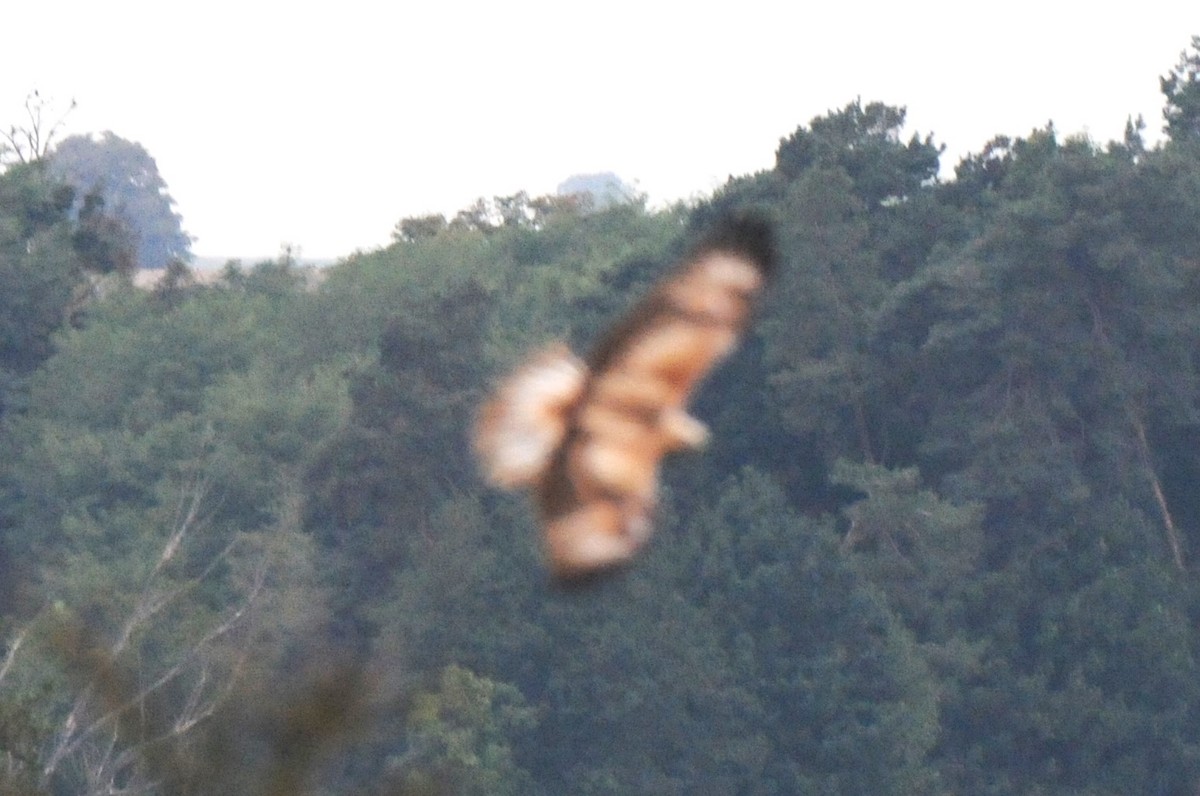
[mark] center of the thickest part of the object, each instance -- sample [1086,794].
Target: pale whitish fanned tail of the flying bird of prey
[525,422]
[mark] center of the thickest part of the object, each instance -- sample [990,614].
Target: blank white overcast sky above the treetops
[322,124]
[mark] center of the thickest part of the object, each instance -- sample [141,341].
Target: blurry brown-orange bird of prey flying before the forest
[586,436]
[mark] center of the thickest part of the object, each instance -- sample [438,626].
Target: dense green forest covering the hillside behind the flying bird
[946,540]
